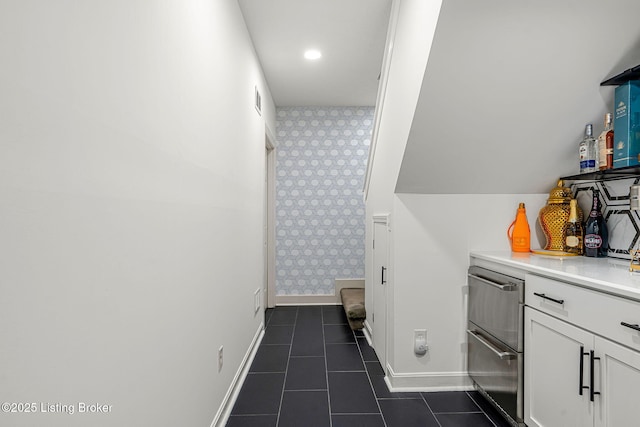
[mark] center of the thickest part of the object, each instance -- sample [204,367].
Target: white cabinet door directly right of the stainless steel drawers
[553,374]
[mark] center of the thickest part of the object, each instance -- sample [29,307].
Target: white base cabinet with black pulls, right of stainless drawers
[573,376]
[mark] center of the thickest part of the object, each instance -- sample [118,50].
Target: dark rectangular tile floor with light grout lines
[312,370]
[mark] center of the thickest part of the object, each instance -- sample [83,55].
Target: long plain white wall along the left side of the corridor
[131,207]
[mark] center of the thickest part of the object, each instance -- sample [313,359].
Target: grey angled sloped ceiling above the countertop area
[508,89]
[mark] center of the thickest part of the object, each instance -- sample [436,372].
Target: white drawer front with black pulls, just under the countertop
[594,311]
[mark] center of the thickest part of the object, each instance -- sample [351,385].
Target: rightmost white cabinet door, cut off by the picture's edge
[617,403]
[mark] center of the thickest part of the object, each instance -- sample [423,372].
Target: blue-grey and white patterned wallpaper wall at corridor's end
[321,162]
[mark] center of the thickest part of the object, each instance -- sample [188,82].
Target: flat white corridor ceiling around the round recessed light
[351,35]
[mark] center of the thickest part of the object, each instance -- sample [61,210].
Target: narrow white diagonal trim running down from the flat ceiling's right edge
[382,91]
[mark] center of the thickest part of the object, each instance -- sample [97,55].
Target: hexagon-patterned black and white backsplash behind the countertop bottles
[623,224]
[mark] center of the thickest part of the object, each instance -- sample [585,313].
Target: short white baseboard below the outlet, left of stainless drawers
[427,381]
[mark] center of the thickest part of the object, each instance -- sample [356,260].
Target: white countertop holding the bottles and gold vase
[608,275]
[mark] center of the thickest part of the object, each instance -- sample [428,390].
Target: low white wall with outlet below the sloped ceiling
[433,235]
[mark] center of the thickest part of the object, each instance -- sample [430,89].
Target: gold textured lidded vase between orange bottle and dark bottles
[553,217]
